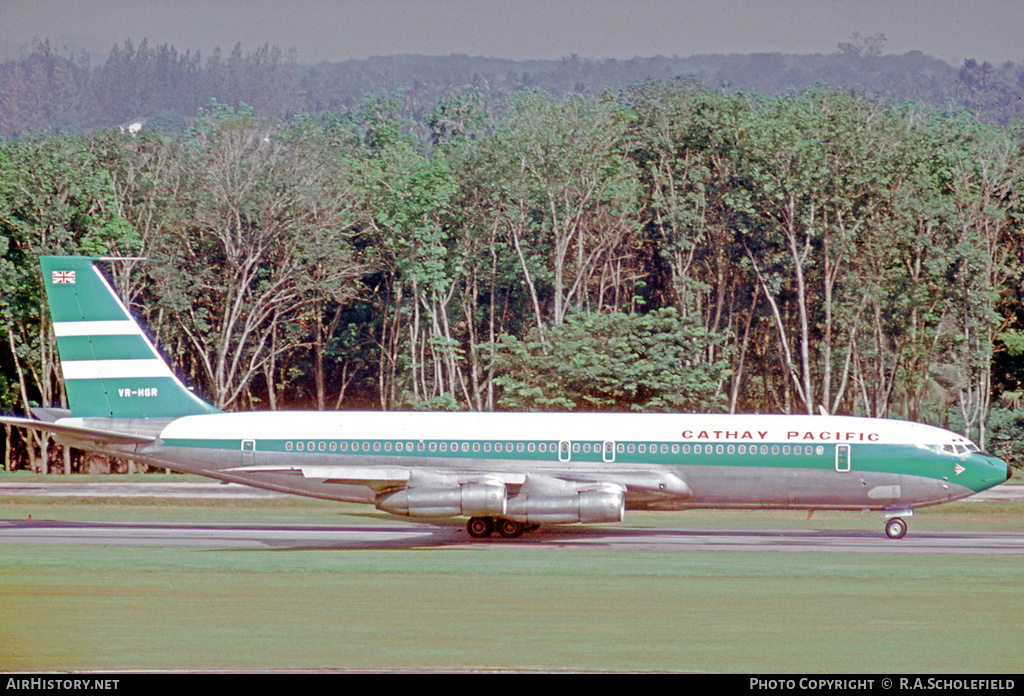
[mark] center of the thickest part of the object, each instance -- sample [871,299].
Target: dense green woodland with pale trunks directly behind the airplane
[660,248]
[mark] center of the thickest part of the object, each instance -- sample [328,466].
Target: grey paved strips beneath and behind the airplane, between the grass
[400,534]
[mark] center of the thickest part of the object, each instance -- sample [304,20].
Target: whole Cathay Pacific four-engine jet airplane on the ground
[506,472]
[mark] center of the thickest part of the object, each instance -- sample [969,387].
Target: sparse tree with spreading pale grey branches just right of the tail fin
[232,268]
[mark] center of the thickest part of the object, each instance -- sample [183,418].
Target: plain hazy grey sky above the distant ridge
[338,30]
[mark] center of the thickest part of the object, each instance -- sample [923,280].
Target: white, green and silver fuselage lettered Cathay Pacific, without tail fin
[665,462]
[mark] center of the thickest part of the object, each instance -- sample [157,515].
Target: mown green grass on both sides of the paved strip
[504,605]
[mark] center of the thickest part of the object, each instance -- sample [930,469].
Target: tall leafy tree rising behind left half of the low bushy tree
[572,196]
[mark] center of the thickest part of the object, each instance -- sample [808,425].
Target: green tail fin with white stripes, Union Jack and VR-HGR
[111,369]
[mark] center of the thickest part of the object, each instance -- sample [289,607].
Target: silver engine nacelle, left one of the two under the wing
[473,500]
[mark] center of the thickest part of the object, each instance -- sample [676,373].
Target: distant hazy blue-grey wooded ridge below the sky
[52,92]
